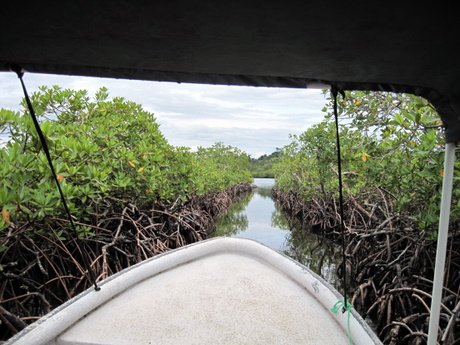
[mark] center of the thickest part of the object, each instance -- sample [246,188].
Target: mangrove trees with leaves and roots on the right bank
[392,160]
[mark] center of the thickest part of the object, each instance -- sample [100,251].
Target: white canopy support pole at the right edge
[438,279]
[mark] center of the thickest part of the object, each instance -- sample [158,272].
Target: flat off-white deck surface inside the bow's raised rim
[224,299]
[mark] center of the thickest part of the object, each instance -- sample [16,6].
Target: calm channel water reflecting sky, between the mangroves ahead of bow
[258,218]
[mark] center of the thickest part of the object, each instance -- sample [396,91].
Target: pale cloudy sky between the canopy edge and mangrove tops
[256,120]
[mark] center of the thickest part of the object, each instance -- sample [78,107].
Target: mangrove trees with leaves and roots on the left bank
[131,194]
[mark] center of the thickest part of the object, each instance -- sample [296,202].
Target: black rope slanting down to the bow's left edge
[86,261]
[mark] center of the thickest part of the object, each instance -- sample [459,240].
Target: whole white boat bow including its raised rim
[221,291]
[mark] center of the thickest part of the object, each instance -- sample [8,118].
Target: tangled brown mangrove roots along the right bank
[391,265]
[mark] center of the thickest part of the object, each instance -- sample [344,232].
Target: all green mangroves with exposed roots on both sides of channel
[133,195]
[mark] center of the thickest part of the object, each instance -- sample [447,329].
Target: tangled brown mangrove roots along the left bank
[40,272]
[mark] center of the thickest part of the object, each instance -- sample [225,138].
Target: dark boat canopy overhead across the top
[377,46]
